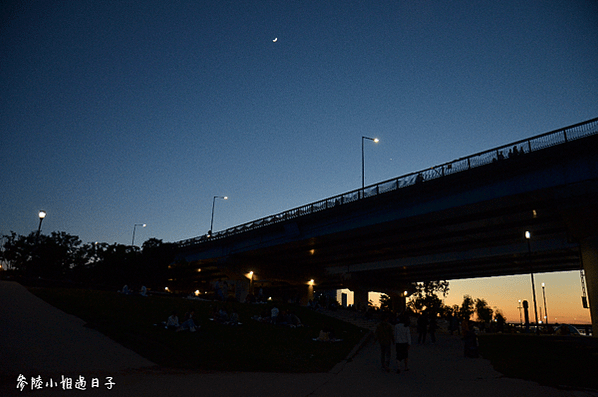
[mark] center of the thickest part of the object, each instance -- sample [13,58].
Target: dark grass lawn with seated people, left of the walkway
[253,346]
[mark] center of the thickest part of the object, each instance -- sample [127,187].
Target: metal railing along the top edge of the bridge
[502,153]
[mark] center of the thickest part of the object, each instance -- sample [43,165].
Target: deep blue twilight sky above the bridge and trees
[116,113]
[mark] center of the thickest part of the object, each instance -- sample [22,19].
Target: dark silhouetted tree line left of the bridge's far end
[64,257]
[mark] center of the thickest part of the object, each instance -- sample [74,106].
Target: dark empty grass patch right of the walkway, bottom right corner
[547,359]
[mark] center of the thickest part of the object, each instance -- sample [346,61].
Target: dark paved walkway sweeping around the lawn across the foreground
[38,339]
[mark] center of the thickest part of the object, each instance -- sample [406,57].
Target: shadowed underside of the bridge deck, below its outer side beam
[473,241]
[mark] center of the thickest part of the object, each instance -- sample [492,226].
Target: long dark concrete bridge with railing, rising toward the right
[462,219]
